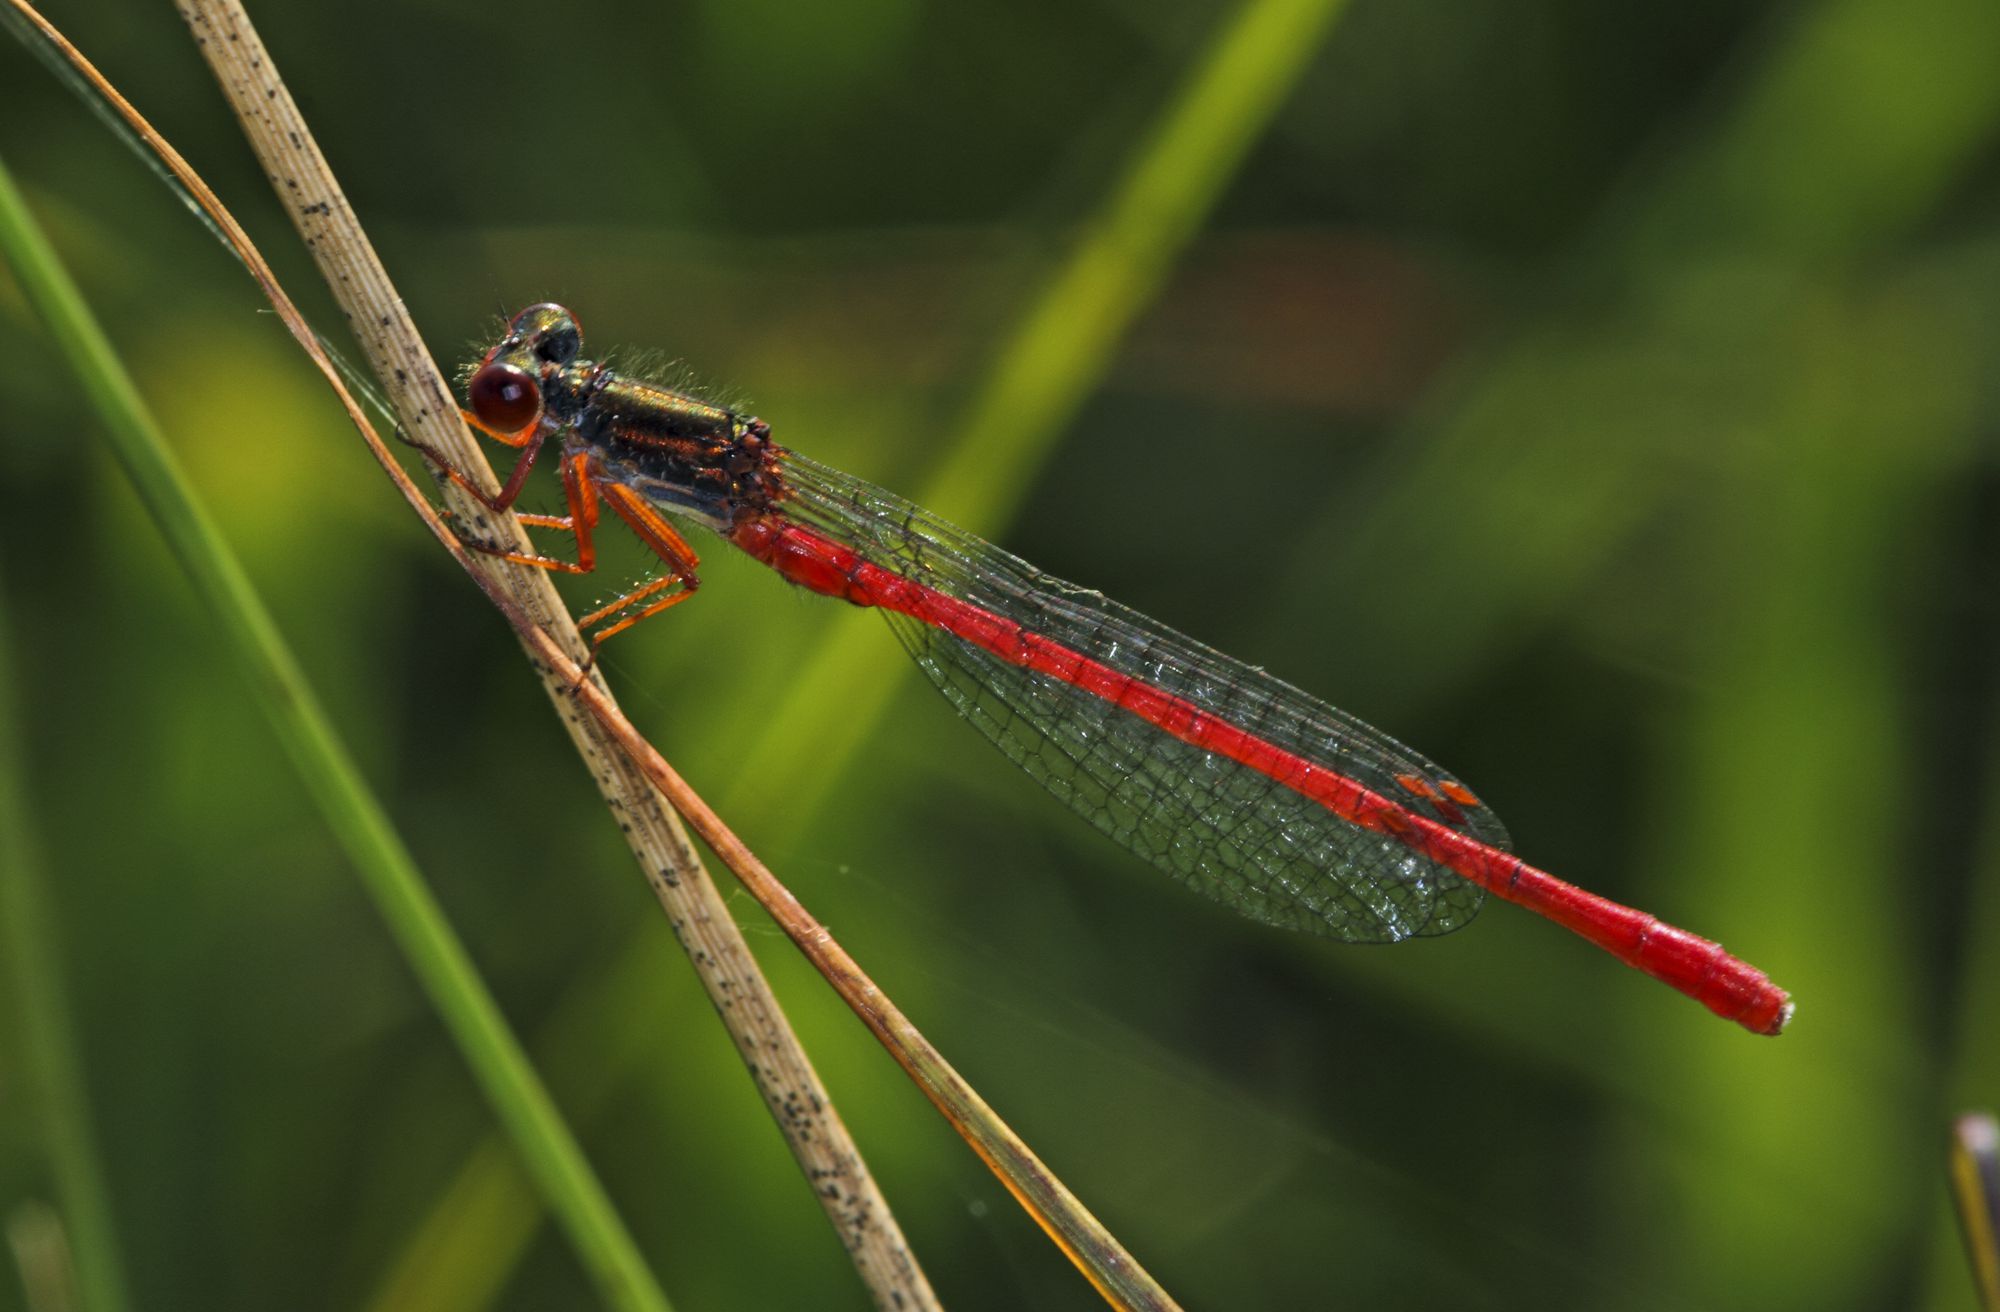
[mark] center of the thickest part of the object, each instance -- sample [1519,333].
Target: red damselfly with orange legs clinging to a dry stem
[1231,781]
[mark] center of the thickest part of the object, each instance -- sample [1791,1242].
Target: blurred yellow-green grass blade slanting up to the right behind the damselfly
[1043,373]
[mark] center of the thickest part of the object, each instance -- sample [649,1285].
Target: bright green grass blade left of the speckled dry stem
[331,777]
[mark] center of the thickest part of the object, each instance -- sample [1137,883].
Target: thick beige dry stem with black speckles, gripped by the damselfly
[429,413]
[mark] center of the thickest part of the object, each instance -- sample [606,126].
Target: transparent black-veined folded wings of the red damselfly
[1219,827]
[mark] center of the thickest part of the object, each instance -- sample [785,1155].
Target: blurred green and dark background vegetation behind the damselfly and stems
[1595,397]
